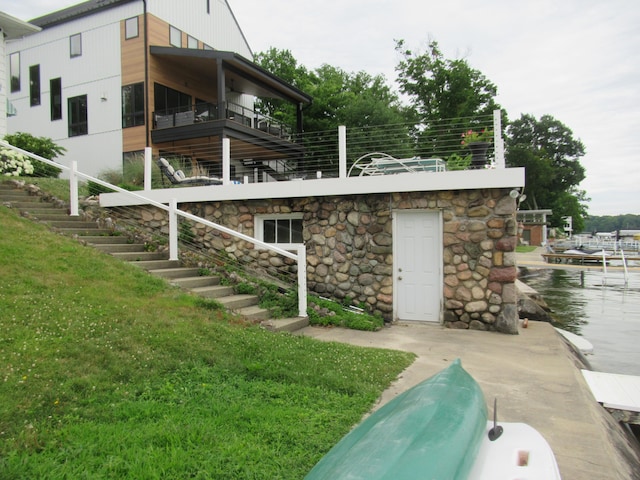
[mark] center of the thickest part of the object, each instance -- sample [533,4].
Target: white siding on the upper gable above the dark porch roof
[217,29]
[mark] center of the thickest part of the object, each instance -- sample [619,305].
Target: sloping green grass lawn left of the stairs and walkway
[107,372]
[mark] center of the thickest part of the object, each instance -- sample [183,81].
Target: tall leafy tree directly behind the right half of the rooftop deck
[447,96]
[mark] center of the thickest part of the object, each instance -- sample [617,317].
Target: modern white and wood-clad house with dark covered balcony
[107,78]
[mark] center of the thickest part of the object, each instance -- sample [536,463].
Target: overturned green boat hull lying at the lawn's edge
[432,431]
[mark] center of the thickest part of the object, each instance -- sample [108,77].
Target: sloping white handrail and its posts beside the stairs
[174,212]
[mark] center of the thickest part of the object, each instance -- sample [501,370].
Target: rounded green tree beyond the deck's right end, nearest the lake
[551,157]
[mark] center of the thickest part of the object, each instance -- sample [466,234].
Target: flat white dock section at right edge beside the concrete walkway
[618,394]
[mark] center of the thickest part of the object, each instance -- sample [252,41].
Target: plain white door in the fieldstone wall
[417,257]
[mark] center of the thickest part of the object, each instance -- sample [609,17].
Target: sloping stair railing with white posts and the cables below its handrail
[178,230]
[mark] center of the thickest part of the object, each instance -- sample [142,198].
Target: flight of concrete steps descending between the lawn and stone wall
[32,205]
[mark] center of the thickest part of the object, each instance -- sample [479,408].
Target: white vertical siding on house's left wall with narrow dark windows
[96,73]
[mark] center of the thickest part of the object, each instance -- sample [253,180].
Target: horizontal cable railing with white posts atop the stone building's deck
[457,144]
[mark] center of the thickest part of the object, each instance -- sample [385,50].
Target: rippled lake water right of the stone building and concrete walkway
[601,309]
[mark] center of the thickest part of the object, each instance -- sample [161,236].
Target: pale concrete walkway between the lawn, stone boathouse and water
[535,378]
